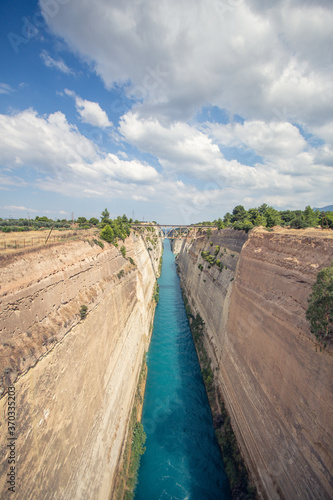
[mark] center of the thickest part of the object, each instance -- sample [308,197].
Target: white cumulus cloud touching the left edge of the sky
[59,154]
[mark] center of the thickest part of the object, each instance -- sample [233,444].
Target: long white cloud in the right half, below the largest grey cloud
[288,164]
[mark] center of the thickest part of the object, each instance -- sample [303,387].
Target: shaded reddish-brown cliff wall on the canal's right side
[276,382]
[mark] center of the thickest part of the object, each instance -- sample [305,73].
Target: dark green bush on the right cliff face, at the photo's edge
[320,310]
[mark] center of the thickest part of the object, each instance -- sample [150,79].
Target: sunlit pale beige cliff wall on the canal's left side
[74,379]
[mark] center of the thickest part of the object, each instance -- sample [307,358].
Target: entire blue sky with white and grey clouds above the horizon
[174,111]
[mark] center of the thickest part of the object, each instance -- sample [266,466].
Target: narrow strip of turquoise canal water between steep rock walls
[182,458]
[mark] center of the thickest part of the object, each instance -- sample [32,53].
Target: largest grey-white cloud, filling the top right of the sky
[252,57]
